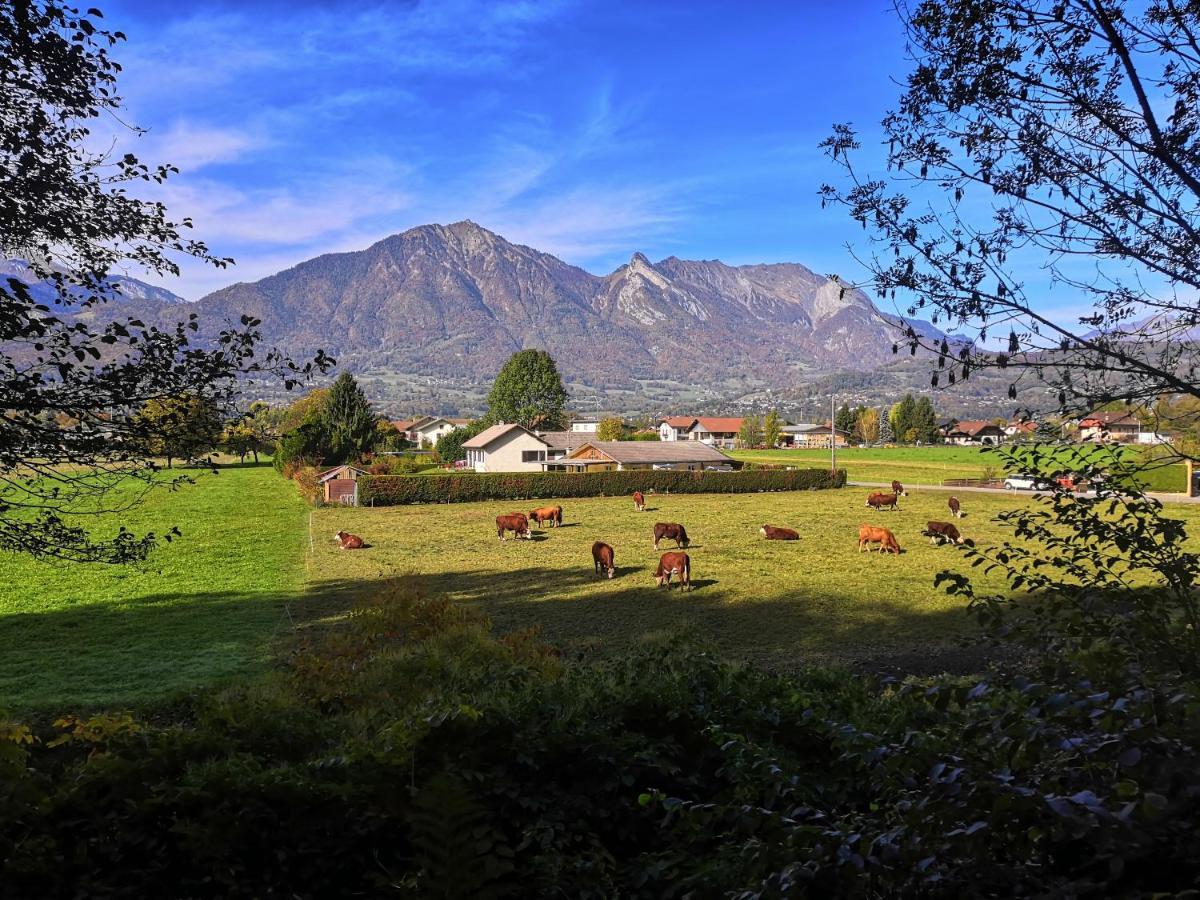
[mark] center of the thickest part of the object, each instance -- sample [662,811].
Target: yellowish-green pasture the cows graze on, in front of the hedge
[776,603]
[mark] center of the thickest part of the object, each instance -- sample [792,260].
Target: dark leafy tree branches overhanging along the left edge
[69,212]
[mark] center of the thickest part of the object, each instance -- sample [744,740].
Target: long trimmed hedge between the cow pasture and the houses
[393,490]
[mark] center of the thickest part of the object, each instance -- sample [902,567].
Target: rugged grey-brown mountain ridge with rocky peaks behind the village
[455,302]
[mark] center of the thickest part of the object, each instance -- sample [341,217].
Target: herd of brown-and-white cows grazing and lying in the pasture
[677,565]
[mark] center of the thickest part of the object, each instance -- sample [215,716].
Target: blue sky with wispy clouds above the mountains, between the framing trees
[587,130]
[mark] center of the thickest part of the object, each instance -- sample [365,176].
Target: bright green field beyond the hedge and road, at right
[925,465]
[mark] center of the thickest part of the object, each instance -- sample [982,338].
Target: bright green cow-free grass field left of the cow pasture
[202,610]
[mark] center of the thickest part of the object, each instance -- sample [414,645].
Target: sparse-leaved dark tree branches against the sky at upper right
[1057,136]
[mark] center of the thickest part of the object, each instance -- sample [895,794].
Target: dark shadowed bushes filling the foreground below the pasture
[411,753]
